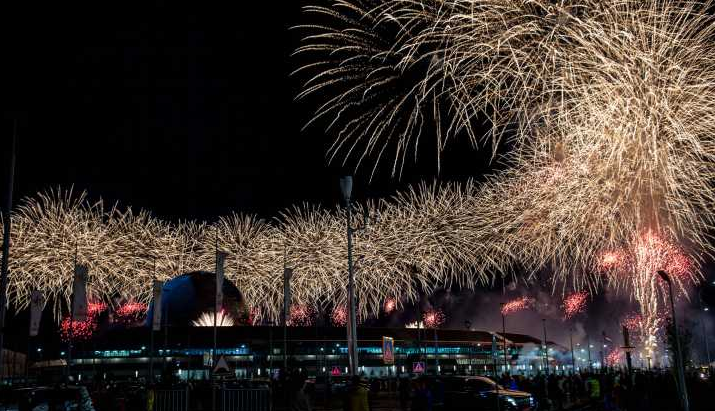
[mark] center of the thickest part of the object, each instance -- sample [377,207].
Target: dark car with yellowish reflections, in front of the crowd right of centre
[482,393]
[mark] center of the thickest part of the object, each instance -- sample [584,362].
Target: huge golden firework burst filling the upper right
[592,96]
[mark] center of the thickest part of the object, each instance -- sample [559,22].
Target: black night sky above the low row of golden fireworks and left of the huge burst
[188,113]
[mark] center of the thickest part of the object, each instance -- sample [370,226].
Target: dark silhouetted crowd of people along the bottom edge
[612,390]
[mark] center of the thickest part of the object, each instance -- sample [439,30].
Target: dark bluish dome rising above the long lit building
[189,296]
